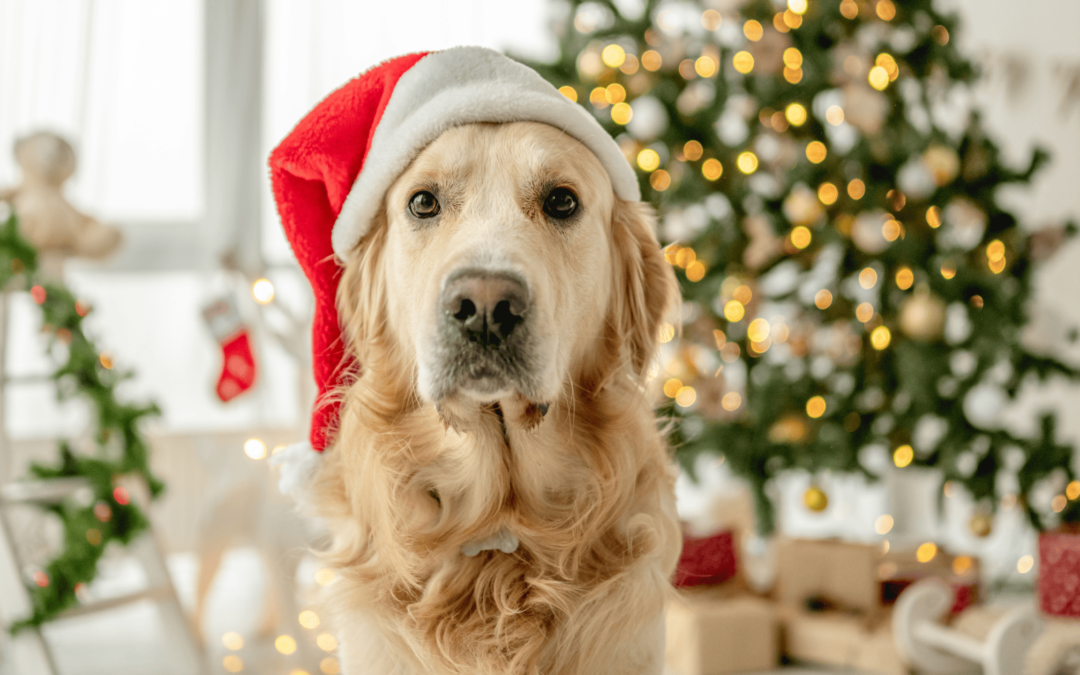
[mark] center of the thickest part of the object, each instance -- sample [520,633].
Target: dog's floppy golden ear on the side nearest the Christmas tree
[645,289]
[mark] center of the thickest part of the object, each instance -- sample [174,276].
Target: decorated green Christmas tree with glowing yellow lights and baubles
[852,285]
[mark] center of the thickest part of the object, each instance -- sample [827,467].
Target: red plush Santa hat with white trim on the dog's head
[330,174]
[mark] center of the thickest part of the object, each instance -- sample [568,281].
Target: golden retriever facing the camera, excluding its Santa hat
[501,498]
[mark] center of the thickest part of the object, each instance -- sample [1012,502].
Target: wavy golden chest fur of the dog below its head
[584,492]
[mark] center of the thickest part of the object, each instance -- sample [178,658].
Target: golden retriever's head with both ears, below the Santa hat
[504,264]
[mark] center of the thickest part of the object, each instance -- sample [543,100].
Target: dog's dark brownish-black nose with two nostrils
[485,306]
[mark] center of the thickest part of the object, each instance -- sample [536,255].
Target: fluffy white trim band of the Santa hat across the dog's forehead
[465,86]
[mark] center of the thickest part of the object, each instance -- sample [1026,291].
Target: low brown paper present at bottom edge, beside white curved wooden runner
[842,641]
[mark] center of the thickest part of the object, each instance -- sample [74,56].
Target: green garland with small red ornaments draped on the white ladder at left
[111,515]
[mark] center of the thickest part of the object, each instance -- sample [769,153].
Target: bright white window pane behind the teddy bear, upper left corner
[123,80]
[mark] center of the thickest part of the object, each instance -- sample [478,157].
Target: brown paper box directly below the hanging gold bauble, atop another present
[836,574]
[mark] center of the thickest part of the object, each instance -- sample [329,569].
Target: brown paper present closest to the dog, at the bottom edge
[720,630]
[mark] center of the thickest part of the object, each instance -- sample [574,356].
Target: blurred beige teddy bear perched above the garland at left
[57,229]
